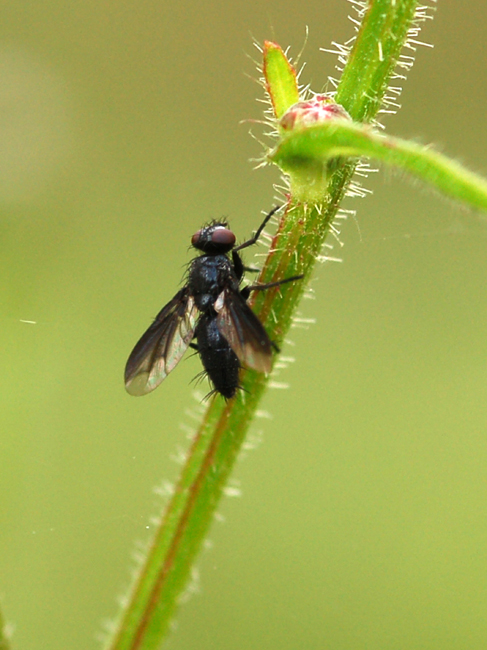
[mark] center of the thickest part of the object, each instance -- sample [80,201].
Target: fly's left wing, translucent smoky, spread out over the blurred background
[161,347]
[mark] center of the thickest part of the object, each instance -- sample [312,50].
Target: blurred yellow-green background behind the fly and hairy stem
[363,517]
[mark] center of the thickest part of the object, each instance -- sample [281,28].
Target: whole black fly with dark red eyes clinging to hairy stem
[212,309]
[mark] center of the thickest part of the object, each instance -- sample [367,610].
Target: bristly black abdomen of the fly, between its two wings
[218,358]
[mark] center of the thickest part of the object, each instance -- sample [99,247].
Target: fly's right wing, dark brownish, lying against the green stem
[244,331]
